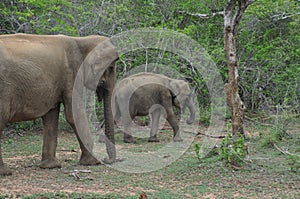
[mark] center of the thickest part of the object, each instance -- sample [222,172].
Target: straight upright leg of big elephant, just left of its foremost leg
[50,123]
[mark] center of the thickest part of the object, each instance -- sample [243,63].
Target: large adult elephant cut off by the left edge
[37,74]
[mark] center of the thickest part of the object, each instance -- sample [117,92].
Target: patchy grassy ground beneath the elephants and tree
[268,172]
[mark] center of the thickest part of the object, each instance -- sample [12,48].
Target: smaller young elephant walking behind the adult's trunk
[145,93]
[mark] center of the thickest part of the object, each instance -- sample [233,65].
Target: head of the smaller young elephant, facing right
[183,97]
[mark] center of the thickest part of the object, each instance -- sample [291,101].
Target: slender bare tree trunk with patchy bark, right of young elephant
[232,16]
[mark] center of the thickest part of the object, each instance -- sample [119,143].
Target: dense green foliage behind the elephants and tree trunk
[267,44]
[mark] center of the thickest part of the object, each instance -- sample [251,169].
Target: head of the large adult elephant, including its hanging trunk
[99,73]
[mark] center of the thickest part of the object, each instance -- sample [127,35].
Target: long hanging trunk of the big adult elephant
[109,121]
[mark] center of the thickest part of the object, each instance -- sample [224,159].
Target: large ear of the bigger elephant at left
[97,62]
